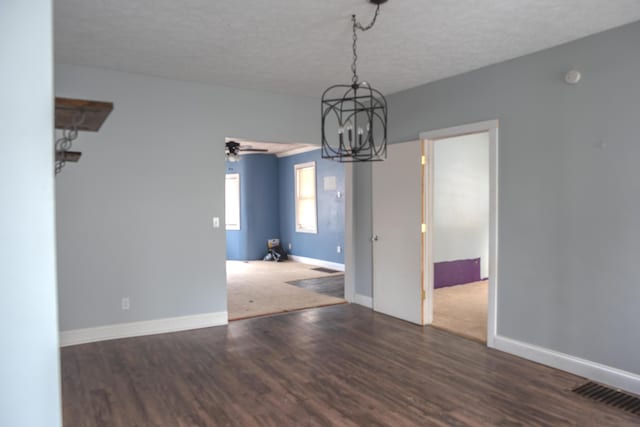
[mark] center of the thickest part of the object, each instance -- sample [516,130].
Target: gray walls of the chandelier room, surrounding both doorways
[134,216]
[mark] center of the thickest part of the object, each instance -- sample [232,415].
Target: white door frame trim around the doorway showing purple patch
[428,139]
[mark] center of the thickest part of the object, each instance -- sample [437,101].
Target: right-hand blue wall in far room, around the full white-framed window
[322,245]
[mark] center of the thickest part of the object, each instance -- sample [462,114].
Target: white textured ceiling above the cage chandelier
[303,46]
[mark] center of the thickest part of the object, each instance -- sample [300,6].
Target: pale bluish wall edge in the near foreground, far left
[29,362]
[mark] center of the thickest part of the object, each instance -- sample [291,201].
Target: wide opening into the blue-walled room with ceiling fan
[284,223]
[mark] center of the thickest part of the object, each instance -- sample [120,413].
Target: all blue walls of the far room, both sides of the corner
[267,208]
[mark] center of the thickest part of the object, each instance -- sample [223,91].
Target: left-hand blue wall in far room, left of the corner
[259,211]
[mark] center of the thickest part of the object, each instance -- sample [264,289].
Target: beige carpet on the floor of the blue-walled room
[257,288]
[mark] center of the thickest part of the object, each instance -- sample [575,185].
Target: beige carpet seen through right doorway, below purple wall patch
[462,309]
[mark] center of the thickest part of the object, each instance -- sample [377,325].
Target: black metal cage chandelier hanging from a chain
[354,116]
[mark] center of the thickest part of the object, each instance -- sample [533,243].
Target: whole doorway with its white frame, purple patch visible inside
[460,212]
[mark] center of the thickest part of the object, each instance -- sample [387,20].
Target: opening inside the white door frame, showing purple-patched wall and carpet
[460,234]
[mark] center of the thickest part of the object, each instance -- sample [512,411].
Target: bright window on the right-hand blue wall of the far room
[306,214]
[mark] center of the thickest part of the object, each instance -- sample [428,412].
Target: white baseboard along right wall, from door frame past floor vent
[585,368]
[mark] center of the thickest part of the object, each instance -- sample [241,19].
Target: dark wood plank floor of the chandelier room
[342,365]
